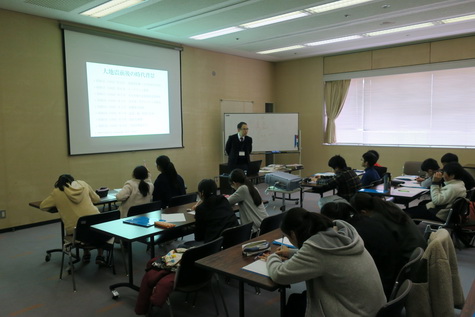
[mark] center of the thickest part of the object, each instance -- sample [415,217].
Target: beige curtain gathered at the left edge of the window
[334,98]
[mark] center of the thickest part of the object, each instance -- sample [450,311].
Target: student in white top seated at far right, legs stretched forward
[442,197]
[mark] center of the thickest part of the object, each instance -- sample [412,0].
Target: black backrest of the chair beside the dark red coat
[188,275]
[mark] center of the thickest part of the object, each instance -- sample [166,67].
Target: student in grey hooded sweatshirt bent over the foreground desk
[339,273]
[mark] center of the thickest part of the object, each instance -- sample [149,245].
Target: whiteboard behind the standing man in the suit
[270,132]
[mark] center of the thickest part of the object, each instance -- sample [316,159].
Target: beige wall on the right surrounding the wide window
[299,86]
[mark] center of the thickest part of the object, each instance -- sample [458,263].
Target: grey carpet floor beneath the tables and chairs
[30,286]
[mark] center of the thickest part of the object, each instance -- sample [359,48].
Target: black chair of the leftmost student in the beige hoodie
[86,238]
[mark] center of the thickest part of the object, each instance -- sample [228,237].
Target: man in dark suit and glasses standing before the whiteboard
[238,148]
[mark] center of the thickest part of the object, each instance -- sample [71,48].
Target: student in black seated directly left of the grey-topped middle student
[213,213]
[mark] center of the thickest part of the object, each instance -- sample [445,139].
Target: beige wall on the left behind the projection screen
[33,140]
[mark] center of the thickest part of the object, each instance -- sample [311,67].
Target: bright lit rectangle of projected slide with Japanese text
[127,100]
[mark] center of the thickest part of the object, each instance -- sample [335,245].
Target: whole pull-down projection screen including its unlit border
[122,95]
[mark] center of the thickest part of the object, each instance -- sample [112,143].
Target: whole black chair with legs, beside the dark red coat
[190,279]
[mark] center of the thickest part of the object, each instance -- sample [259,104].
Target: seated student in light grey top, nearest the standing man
[251,208]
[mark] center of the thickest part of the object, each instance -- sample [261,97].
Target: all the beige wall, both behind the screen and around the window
[33,141]
